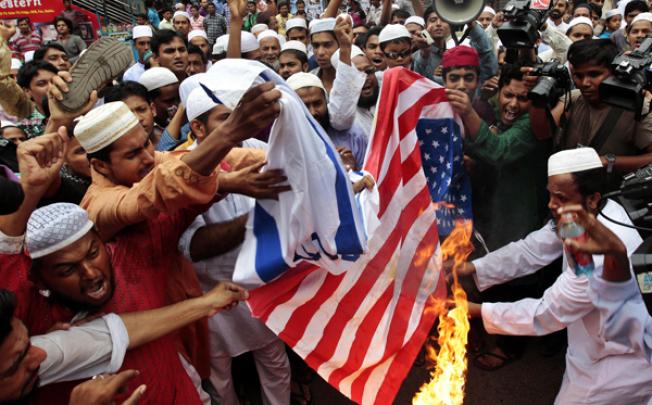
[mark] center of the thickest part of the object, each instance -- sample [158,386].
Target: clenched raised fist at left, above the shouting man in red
[40,159]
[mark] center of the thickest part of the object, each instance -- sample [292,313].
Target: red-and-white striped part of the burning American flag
[362,329]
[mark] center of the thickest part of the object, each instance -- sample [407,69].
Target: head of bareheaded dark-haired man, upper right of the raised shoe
[171,51]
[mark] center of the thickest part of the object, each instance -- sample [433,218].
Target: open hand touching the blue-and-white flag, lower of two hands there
[250,181]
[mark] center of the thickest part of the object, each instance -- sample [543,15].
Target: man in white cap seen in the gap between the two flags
[313,94]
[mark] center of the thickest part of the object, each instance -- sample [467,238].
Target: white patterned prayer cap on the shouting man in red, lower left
[54,227]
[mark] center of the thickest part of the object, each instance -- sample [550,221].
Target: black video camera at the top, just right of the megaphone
[521,28]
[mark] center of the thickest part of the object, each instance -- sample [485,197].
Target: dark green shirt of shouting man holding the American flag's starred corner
[509,182]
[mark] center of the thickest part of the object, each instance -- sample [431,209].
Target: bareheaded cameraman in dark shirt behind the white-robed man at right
[623,143]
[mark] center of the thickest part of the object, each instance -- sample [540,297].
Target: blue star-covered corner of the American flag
[440,140]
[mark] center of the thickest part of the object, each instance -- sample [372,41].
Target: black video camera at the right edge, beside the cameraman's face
[631,76]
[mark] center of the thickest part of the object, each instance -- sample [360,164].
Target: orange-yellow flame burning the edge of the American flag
[446,385]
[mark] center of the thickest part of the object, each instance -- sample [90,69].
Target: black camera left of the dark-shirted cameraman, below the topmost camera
[553,83]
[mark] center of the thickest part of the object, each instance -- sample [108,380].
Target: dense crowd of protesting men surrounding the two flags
[126,191]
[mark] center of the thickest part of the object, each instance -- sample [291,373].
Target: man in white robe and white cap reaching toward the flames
[598,370]
